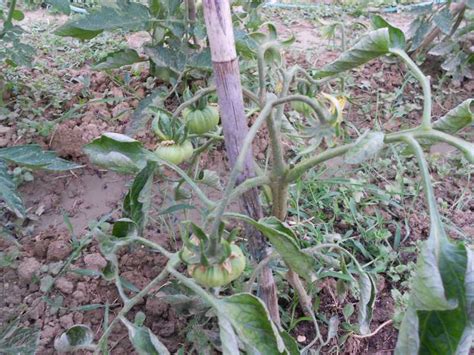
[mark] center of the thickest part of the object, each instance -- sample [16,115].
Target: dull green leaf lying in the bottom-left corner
[16,339]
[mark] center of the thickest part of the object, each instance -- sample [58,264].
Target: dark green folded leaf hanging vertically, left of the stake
[138,199]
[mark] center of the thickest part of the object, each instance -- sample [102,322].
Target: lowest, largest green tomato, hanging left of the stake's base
[220,274]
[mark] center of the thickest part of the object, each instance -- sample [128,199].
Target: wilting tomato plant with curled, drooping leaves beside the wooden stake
[439,314]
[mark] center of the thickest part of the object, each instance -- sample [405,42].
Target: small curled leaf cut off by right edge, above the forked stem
[456,119]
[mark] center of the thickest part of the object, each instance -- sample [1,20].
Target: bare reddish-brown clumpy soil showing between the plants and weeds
[87,194]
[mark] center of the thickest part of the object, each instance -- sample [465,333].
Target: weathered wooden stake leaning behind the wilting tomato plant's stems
[225,63]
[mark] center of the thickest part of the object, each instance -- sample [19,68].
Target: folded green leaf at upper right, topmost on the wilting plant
[371,46]
